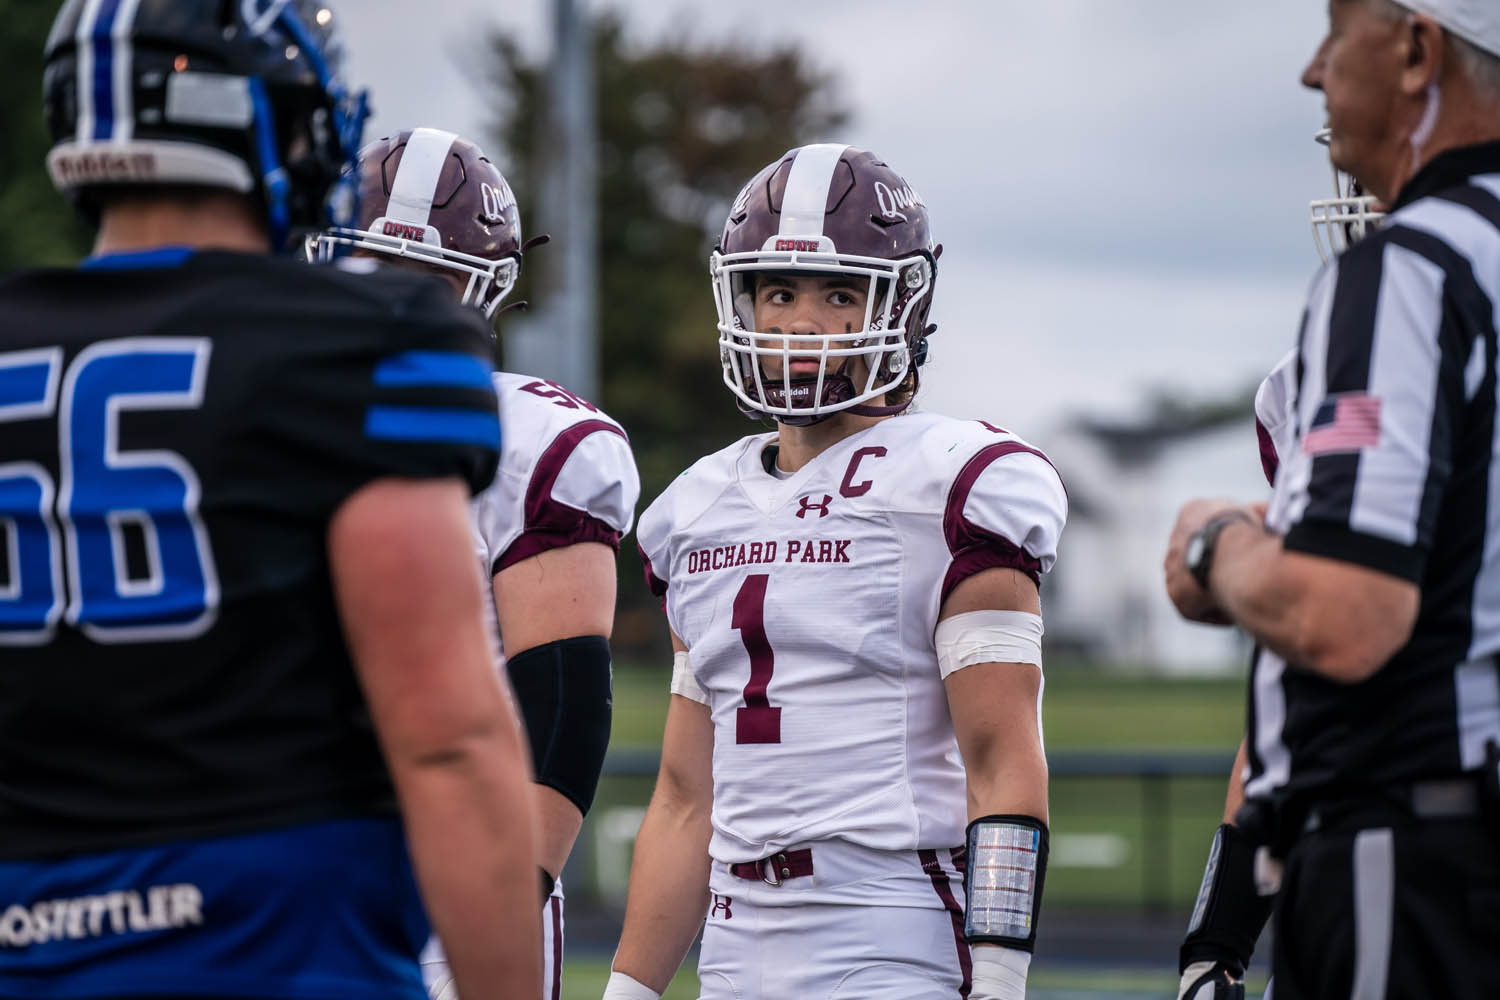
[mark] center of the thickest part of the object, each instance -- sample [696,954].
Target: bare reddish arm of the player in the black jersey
[409,597]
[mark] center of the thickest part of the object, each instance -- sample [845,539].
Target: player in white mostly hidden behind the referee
[1229,914]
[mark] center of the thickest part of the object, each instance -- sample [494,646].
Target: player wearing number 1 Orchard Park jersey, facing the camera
[853,779]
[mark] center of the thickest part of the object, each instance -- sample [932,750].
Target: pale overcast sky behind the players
[1121,185]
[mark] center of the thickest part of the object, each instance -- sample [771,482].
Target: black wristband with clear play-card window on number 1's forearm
[1006,866]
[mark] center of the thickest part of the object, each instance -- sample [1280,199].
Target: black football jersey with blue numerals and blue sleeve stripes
[173,445]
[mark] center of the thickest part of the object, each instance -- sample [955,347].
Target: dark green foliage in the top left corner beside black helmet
[41,229]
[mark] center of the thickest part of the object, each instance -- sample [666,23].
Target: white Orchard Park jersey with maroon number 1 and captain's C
[809,605]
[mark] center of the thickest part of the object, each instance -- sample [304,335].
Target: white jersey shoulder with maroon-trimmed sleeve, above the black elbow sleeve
[566,476]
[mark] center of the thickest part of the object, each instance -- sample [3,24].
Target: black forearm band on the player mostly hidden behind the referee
[1229,914]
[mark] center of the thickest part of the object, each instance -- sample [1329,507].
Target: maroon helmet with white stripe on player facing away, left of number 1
[434,197]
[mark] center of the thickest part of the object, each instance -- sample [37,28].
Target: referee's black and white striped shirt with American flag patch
[1393,469]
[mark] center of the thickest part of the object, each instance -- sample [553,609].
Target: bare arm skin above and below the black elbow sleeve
[553,596]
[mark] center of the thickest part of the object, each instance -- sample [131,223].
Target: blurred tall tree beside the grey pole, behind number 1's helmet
[682,128]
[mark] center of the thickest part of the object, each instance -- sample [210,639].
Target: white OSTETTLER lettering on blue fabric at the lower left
[158,909]
